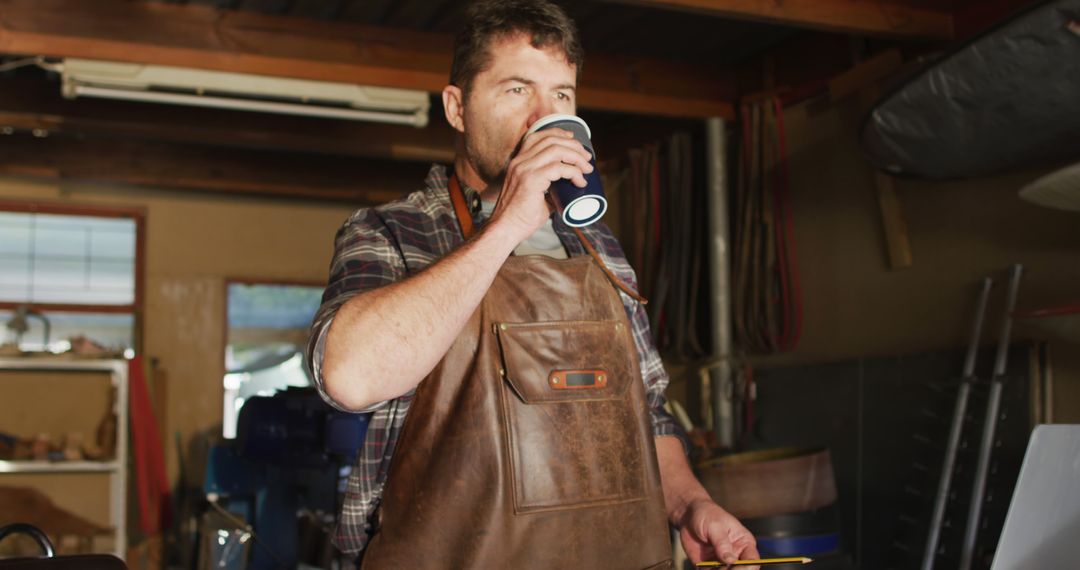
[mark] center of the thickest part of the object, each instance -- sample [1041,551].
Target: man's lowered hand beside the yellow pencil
[710,533]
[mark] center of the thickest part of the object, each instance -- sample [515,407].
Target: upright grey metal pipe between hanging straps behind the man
[721,288]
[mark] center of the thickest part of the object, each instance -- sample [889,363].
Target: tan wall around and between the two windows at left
[194,245]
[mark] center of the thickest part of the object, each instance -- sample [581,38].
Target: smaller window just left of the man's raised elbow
[267,333]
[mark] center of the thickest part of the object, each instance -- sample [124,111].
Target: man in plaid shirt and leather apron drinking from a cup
[479,455]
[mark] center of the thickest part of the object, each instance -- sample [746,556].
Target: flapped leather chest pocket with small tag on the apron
[575,433]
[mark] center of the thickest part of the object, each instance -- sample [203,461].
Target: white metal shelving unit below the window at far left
[117,468]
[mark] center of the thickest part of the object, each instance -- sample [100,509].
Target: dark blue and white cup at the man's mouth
[577,207]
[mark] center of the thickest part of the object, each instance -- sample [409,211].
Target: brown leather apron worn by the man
[530,445]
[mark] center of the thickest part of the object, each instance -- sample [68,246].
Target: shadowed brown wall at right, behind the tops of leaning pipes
[855,306]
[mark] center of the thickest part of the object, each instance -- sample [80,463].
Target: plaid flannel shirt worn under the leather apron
[382,246]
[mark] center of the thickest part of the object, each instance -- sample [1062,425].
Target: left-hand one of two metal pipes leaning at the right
[956,429]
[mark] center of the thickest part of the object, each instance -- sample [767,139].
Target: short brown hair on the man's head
[546,23]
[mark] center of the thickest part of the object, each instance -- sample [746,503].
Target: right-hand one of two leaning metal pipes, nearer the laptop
[990,424]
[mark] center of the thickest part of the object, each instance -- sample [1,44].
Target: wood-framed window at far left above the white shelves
[70,273]
